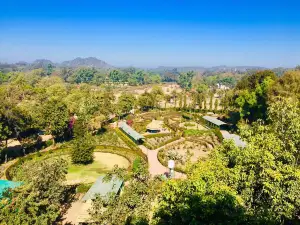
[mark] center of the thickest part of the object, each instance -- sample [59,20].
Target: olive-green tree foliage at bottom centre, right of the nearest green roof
[133,205]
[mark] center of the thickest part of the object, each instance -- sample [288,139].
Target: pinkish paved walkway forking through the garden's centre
[155,167]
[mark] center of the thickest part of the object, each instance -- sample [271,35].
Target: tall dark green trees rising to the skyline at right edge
[254,93]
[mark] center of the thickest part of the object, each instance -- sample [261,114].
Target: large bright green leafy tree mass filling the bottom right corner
[258,184]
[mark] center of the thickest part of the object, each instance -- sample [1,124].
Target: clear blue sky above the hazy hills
[153,33]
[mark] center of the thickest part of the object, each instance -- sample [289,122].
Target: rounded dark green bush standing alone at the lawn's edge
[82,151]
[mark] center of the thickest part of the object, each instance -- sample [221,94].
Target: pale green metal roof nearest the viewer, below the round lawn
[103,188]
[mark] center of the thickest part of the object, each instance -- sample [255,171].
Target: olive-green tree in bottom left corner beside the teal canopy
[38,200]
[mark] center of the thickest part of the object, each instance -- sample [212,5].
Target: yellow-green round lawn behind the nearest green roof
[103,162]
